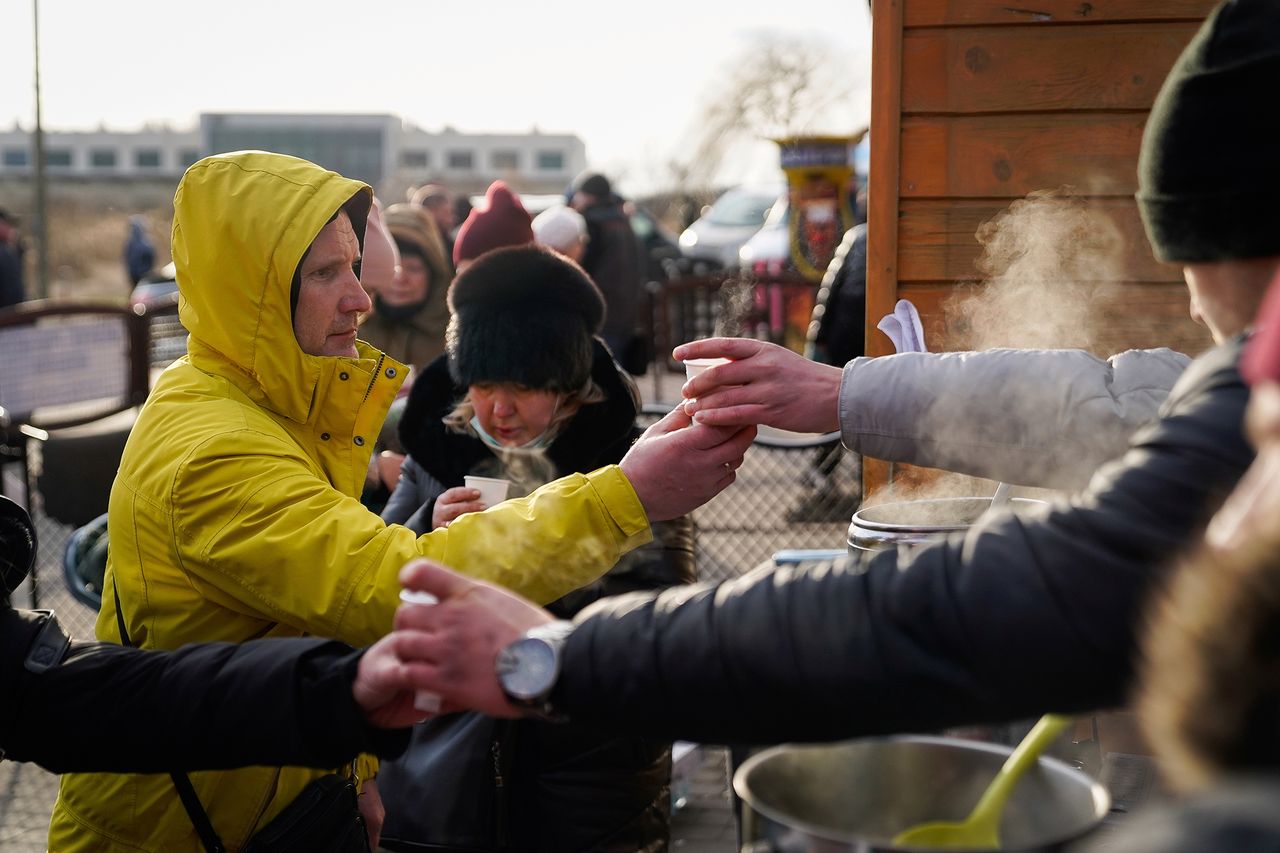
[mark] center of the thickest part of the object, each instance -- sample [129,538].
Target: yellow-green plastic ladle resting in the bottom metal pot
[981,831]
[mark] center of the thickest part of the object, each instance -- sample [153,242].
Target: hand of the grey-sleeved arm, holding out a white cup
[764,384]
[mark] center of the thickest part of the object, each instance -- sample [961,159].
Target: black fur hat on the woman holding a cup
[525,316]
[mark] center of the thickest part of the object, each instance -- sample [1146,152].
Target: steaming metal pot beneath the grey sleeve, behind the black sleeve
[909,523]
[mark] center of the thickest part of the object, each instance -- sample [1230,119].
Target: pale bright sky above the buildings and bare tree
[630,80]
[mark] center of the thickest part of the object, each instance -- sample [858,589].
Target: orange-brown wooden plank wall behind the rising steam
[976,104]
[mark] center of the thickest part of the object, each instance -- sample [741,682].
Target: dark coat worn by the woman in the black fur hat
[528,786]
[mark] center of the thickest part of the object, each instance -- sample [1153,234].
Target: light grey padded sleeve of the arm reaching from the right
[1043,418]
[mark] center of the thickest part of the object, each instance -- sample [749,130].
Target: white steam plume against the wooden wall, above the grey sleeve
[1048,262]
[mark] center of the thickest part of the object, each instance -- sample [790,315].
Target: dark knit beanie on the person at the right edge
[1209,176]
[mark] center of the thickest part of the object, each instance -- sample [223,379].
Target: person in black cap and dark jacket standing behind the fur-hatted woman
[612,261]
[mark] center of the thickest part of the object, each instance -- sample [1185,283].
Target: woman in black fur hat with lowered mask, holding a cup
[527,393]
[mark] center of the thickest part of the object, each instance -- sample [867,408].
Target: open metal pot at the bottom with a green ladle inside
[858,795]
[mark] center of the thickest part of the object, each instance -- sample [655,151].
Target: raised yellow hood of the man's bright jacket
[243,223]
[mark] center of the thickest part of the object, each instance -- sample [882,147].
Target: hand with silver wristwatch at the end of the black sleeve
[463,636]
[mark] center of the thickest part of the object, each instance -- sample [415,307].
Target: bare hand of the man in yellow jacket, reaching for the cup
[679,466]
